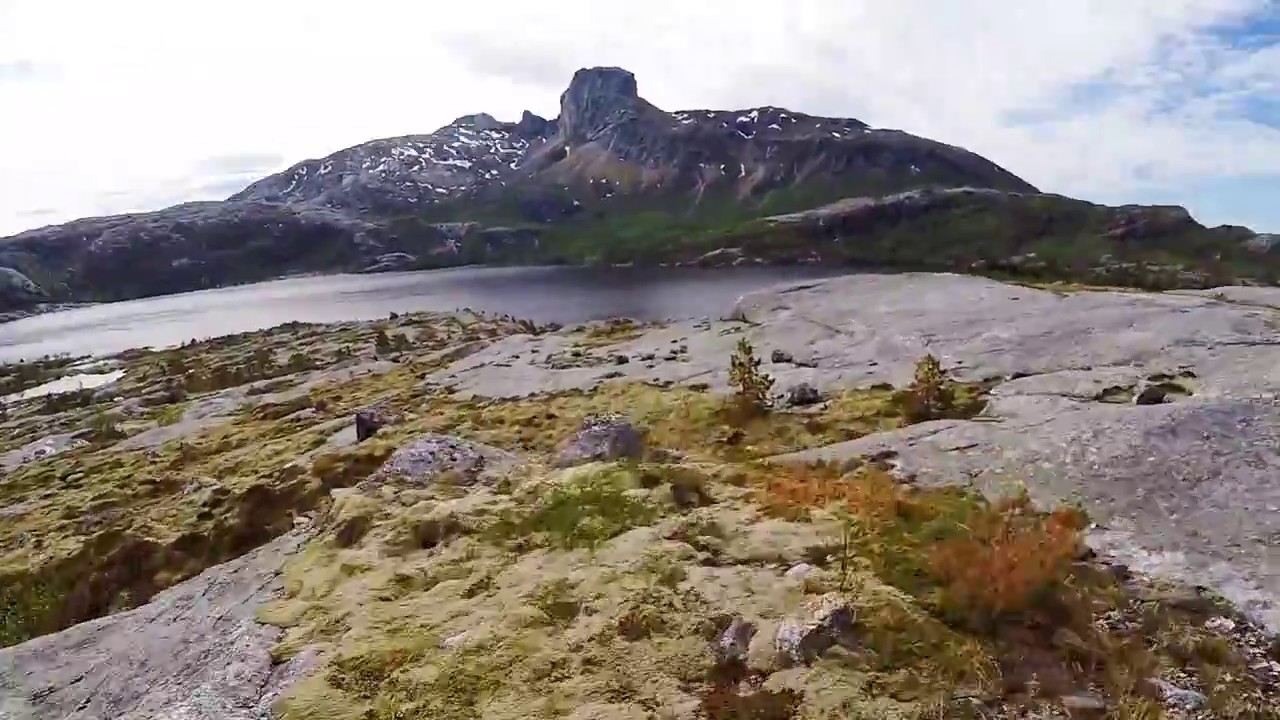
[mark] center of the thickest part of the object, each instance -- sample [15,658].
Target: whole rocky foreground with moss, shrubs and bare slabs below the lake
[465,517]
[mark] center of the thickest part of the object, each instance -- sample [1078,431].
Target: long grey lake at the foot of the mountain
[560,295]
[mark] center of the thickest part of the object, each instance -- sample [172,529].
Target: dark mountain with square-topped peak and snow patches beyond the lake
[616,180]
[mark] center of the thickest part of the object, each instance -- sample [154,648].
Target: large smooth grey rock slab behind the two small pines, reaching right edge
[1185,489]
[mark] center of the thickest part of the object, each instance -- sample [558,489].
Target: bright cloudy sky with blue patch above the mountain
[140,104]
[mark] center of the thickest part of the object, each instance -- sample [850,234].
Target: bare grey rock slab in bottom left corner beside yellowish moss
[191,654]
